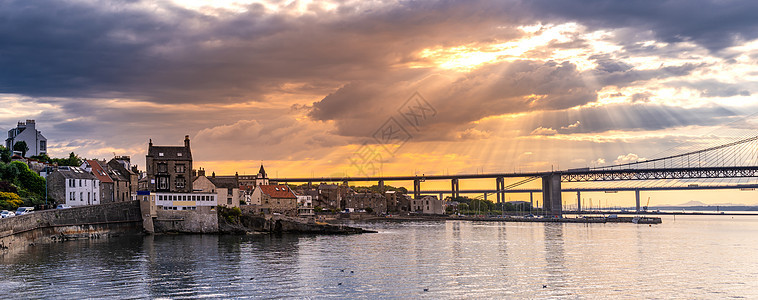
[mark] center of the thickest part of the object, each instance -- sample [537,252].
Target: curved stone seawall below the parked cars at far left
[93,221]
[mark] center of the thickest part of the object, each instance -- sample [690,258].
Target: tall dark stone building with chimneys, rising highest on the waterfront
[169,168]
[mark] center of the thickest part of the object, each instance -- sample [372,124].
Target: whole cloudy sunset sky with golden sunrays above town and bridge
[336,88]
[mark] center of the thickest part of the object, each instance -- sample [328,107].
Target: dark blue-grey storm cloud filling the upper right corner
[711,24]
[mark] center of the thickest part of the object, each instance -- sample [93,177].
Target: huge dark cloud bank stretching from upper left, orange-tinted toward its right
[163,53]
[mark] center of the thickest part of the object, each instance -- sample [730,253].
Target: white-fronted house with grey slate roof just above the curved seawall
[73,186]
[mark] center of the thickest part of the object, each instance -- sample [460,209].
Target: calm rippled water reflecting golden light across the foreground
[703,257]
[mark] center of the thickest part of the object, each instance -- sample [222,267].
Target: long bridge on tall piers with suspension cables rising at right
[731,160]
